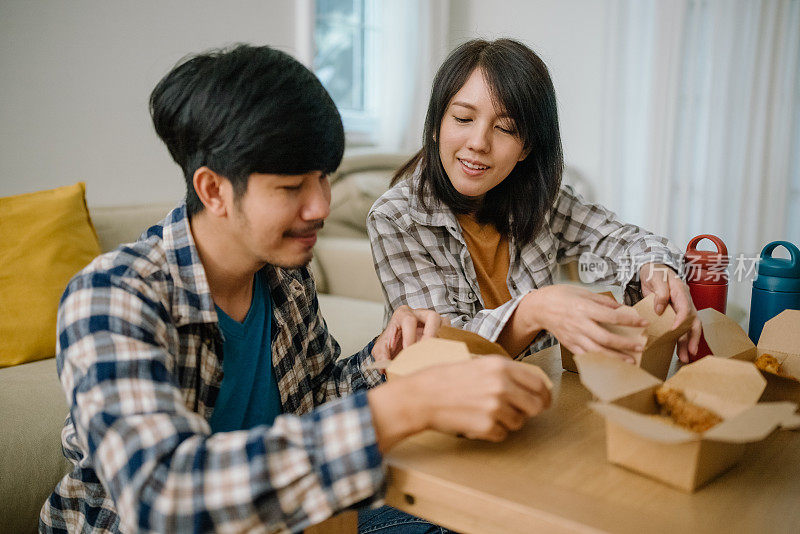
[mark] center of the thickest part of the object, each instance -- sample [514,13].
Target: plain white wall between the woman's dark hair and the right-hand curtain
[570,36]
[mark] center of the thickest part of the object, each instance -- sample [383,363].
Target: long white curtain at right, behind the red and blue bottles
[702,129]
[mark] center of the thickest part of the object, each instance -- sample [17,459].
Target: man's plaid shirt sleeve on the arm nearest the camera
[159,461]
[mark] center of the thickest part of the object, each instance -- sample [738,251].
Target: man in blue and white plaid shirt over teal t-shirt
[205,391]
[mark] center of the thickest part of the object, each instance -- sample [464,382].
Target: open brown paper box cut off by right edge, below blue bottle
[779,338]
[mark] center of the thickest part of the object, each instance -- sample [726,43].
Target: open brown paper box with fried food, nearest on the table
[638,439]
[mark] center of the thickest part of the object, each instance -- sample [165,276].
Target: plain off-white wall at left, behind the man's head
[75,81]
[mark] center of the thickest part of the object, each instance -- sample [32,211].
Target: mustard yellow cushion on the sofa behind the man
[45,238]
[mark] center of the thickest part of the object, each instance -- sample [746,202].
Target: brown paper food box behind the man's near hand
[451,345]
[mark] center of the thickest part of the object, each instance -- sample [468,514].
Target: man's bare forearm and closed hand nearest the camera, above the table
[484,398]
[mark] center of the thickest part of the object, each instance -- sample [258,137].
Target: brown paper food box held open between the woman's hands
[659,338]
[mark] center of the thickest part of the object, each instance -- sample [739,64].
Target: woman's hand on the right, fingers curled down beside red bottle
[670,289]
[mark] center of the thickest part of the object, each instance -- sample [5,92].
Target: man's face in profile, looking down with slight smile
[278,217]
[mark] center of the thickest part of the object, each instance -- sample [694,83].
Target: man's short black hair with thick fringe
[246,110]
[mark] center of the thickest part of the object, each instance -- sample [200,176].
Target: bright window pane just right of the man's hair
[345,60]
